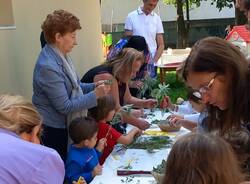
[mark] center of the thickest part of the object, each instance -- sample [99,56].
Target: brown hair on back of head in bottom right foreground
[202,159]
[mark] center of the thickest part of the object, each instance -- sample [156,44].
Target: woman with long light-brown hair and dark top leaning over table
[121,69]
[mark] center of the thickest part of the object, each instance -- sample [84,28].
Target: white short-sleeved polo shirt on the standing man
[145,25]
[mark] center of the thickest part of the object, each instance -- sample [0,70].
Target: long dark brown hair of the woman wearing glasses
[216,55]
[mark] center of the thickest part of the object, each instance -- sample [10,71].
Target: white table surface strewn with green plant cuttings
[139,160]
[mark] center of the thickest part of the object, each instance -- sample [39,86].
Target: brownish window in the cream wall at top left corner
[6,15]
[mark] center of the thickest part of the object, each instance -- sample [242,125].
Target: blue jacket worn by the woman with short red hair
[52,90]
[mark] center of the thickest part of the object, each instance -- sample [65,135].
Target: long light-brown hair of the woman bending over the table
[123,62]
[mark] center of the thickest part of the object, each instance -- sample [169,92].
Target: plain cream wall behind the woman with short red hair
[19,48]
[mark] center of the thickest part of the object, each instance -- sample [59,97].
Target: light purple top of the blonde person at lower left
[23,162]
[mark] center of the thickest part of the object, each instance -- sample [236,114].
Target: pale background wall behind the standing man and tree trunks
[167,12]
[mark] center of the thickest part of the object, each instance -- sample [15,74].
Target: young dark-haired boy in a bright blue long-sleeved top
[83,158]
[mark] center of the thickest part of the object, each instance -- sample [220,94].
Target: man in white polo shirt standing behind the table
[144,22]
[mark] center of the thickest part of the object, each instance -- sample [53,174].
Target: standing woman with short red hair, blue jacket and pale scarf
[58,94]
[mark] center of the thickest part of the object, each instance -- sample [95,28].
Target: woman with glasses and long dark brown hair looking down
[220,73]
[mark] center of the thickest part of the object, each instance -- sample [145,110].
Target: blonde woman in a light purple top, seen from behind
[23,160]
